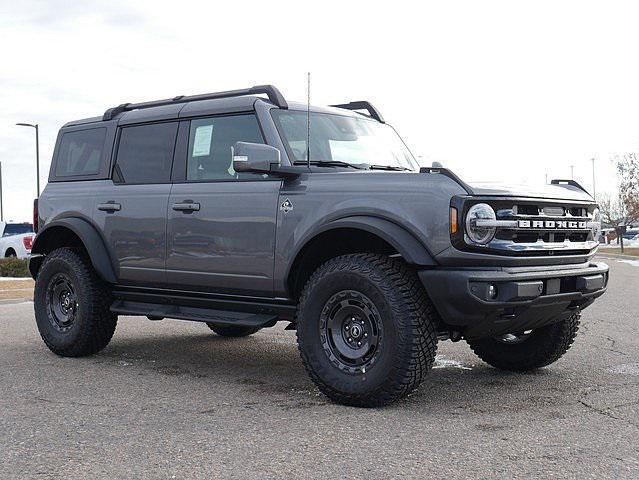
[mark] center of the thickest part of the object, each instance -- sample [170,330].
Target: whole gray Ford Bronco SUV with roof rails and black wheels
[217,208]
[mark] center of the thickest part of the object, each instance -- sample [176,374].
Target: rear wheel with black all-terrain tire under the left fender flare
[90,326]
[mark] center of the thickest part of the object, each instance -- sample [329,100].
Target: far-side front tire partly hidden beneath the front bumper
[543,346]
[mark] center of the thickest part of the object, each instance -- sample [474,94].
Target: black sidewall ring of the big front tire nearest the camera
[376,375]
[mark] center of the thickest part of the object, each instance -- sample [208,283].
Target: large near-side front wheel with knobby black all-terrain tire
[390,292]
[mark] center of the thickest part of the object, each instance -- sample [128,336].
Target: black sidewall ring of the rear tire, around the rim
[61,340]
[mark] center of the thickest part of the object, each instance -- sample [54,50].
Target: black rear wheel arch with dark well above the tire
[73,232]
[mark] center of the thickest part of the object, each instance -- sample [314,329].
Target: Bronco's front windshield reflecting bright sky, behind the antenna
[339,138]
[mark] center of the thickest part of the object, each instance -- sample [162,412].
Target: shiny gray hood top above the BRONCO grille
[558,192]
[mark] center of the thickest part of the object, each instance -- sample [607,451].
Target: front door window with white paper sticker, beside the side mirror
[210,142]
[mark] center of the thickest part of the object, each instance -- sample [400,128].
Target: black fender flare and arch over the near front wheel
[394,236]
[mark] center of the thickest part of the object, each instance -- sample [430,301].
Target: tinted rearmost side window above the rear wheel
[80,153]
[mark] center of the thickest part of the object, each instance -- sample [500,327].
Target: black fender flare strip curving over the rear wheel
[90,238]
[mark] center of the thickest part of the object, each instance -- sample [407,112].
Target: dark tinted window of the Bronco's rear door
[145,153]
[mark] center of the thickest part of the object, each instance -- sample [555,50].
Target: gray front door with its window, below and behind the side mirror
[221,224]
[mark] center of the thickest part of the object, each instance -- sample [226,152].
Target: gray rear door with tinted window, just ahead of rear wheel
[131,208]
